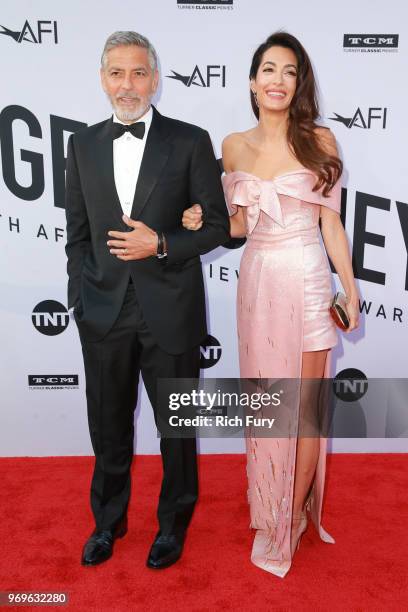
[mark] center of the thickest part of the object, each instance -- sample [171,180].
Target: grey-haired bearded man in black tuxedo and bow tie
[136,285]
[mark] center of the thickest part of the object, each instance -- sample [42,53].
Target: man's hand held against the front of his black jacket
[139,243]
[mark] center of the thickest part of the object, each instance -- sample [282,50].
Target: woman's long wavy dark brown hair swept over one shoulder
[303,112]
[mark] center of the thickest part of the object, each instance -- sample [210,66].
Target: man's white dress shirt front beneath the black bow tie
[127,158]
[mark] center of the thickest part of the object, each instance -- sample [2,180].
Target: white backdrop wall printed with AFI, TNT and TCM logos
[50,54]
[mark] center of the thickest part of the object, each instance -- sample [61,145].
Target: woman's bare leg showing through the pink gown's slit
[308,444]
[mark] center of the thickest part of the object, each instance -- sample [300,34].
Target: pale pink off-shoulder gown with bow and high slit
[284,292]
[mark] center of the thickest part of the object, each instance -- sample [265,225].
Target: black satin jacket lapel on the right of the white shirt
[154,159]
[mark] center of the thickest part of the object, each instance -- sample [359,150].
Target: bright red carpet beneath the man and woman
[45,519]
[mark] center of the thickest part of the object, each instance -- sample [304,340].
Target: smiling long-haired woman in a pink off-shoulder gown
[282,177]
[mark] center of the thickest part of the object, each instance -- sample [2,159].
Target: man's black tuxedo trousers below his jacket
[112,368]
